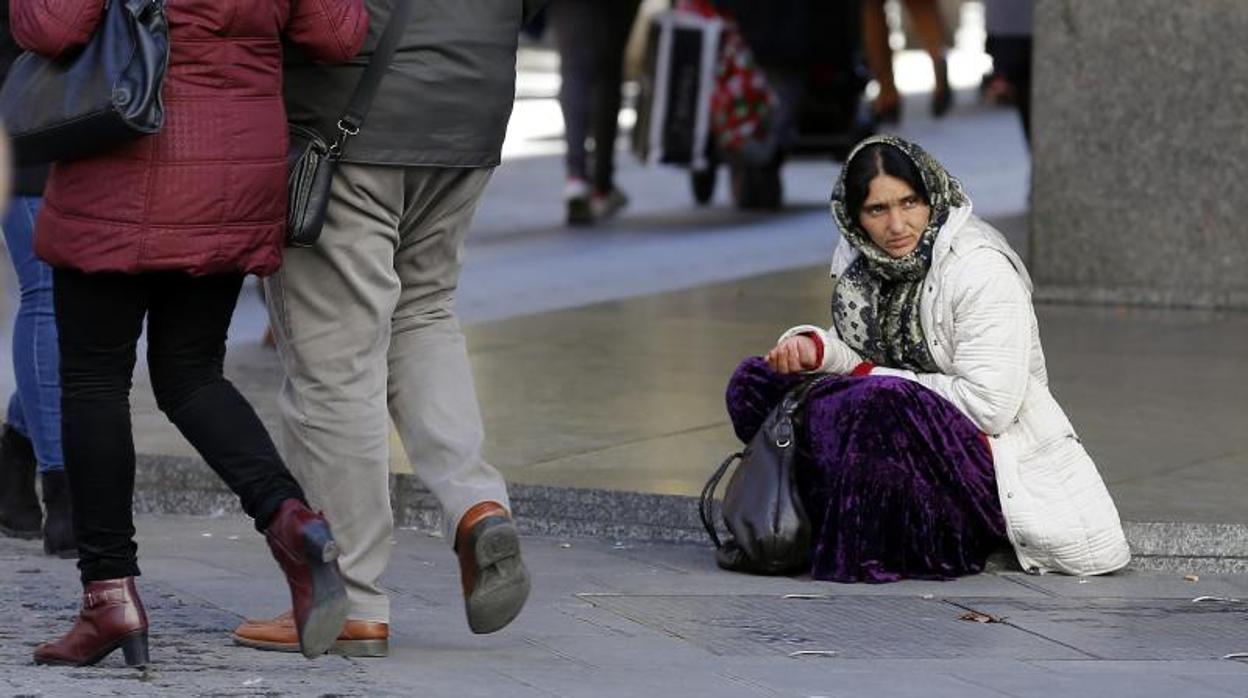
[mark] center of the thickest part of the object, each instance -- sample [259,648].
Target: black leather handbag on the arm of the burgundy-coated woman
[104,96]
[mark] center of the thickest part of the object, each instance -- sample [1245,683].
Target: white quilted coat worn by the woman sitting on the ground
[982,329]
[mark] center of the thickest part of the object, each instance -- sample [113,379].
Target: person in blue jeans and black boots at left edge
[32,438]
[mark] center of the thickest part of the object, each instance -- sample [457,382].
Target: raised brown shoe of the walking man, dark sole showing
[496,584]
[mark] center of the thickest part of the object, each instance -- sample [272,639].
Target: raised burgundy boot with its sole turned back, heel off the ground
[305,549]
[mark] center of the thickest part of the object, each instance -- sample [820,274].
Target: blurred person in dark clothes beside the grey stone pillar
[1009,43]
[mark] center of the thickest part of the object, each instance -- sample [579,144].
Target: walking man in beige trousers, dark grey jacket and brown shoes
[365,320]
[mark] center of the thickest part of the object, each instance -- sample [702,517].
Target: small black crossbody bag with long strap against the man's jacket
[313,160]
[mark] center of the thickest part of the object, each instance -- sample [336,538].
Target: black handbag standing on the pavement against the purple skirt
[769,531]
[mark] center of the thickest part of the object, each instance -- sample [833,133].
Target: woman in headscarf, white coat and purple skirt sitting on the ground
[938,440]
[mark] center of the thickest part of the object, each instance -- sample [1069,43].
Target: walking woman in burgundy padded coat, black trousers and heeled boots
[165,229]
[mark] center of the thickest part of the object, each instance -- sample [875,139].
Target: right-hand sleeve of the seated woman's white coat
[992,344]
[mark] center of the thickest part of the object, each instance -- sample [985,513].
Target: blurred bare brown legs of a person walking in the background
[929,27]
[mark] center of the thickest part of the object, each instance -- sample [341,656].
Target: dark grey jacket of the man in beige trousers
[447,97]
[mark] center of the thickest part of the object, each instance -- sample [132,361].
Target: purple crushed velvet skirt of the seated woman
[898,483]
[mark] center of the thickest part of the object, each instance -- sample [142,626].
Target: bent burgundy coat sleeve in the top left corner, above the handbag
[54,28]
